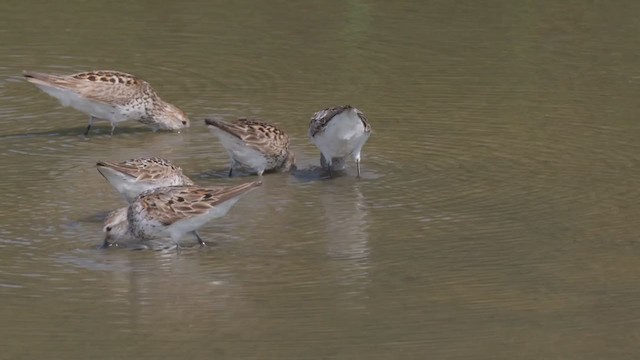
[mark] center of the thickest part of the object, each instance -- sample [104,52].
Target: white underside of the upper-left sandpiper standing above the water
[98,110]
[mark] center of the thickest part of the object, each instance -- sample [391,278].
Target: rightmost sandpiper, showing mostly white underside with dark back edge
[339,132]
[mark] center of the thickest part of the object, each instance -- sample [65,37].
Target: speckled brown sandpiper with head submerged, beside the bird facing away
[254,144]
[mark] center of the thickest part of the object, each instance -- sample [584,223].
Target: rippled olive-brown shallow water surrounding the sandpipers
[496,217]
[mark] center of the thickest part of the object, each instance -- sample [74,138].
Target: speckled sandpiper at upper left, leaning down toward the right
[113,96]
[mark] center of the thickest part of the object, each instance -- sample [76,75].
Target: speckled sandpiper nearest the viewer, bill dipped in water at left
[172,212]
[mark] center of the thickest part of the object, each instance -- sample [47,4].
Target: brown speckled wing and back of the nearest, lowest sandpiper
[171,204]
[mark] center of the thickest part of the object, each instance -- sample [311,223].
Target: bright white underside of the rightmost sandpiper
[344,135]
